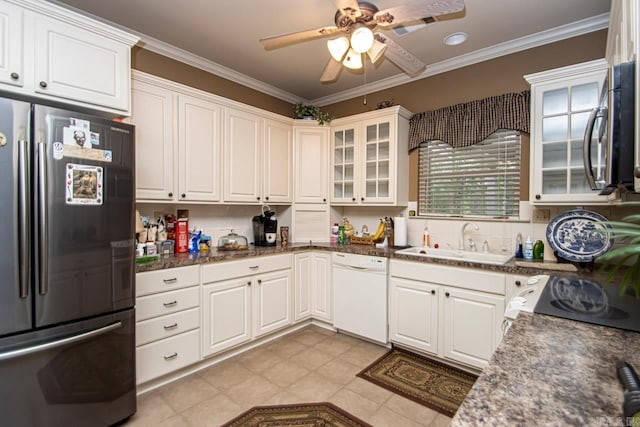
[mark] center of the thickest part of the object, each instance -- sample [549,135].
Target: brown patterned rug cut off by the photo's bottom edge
[298,415]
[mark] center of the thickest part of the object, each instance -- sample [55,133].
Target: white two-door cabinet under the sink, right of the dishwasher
[455,314]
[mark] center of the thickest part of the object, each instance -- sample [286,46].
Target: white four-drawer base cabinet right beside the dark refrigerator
[167,321]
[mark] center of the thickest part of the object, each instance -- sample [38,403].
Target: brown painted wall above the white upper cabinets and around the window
[489,78]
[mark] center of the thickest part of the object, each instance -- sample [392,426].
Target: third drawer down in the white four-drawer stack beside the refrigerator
[167,326]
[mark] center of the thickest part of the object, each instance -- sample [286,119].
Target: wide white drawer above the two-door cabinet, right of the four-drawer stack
[232,269]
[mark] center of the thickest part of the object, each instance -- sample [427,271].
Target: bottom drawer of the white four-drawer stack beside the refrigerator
[164,356]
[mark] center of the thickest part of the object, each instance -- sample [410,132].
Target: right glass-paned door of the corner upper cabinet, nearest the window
[377,162]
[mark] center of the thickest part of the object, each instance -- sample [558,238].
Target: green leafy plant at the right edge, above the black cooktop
[626,231]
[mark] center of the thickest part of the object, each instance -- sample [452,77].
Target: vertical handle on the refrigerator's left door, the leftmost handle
[25,210]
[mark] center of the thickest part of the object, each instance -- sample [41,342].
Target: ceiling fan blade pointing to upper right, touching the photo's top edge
[417,9]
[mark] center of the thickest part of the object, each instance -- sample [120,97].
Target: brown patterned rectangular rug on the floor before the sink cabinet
[421,379]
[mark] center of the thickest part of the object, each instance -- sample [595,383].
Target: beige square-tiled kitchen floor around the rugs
[309,365]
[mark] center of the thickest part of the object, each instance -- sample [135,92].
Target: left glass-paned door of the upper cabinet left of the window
[344,161]
